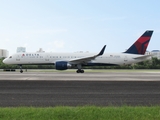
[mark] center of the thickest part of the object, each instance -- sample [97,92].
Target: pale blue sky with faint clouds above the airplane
[77,25]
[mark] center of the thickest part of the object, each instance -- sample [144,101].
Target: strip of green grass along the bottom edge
[81,113]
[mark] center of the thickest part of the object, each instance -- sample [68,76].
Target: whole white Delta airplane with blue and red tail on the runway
[64,61]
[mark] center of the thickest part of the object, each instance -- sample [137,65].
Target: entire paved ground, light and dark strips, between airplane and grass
[70,89]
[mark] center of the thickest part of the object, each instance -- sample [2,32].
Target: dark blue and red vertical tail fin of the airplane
[140,46]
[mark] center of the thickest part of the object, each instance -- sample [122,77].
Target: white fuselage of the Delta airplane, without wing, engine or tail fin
[51,58]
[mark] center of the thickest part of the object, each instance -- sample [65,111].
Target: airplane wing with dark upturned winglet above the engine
[84,60]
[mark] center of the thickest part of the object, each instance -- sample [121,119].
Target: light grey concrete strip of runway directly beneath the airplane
[88,76]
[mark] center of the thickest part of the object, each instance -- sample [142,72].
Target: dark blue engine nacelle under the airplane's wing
[62,65]
